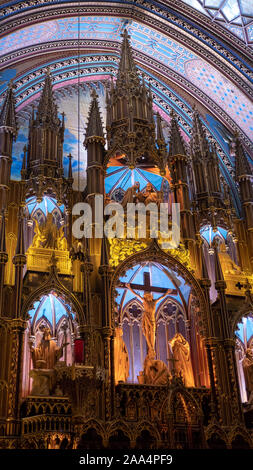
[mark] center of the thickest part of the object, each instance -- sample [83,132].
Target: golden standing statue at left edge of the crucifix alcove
[121,358]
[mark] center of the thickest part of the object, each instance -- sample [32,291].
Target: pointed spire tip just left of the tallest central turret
[94,128]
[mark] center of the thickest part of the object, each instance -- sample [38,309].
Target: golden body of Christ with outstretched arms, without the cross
[148,317]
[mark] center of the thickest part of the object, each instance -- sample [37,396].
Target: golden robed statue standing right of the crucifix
[182,359]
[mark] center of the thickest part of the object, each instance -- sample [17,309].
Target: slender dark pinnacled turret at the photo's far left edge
[8,132]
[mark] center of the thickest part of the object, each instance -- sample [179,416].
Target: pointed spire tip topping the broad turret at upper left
[47,109]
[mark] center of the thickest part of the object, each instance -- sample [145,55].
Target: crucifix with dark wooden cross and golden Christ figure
[149,307]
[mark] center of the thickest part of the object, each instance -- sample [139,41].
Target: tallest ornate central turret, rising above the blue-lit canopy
[130,122]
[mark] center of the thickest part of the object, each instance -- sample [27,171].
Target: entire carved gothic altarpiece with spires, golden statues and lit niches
[120,343]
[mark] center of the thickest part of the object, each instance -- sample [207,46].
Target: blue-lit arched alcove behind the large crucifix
[173,320]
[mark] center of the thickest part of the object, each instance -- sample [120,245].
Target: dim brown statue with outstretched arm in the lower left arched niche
[45,357]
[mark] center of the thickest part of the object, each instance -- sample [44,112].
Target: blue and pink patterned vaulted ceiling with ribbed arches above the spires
[193,52]
